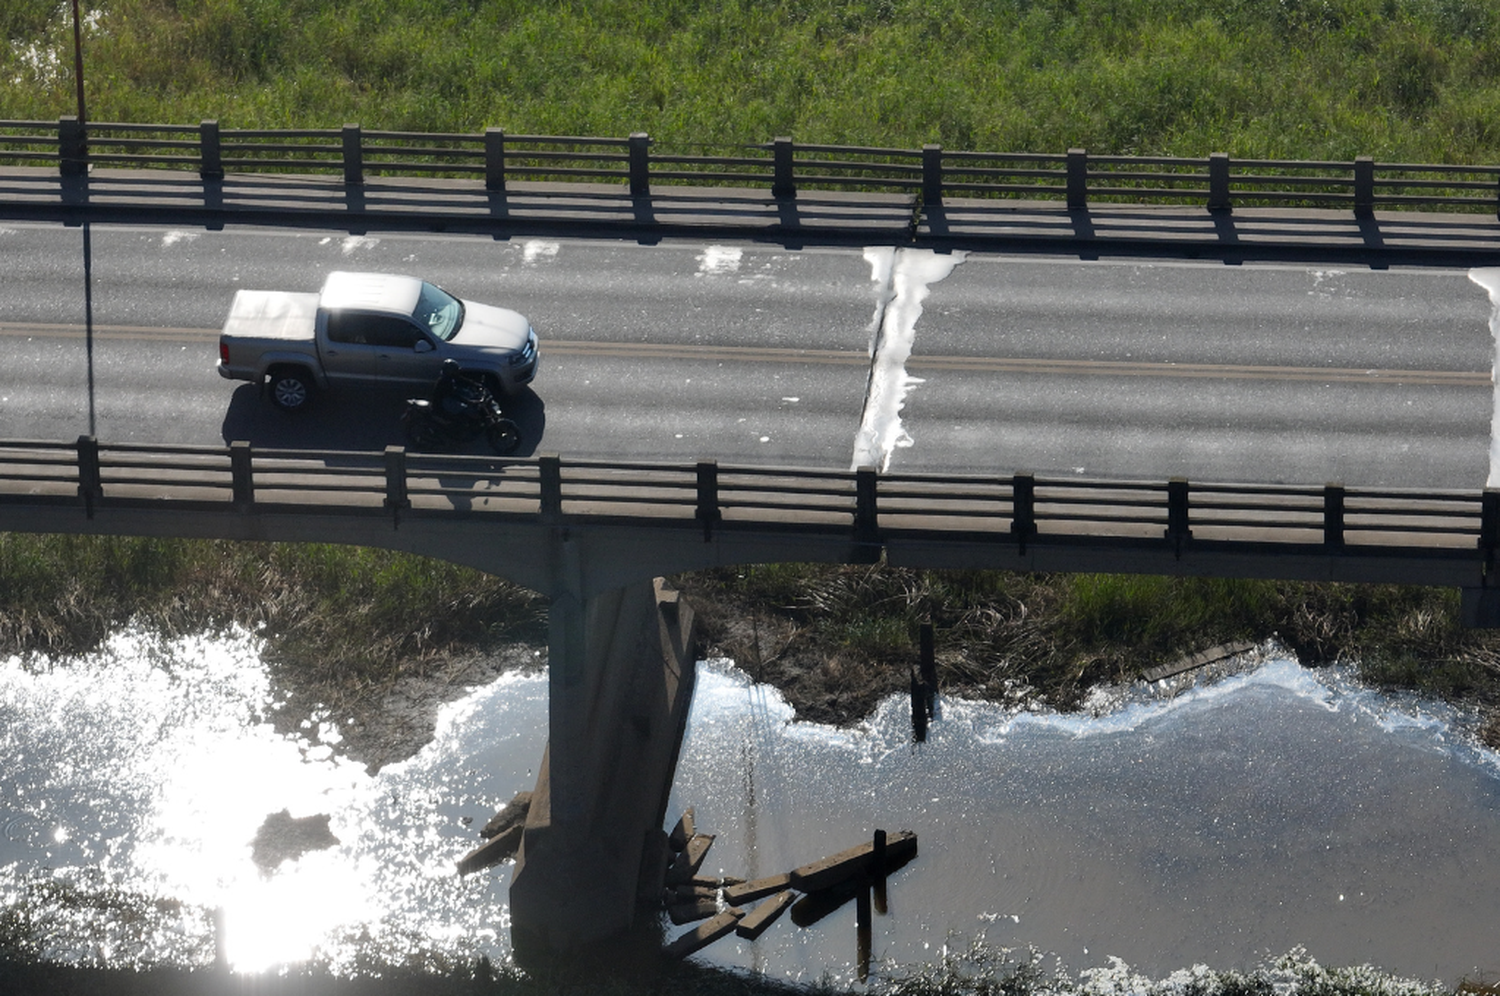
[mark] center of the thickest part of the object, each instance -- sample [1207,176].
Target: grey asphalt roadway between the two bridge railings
[760,355]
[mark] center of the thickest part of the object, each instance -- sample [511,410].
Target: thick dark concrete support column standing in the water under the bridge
[622,668]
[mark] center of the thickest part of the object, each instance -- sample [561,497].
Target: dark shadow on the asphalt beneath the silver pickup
[359,421]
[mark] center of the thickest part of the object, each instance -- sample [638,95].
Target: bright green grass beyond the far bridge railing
[1400,80]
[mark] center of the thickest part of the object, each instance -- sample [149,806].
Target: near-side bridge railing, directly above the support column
[868,506]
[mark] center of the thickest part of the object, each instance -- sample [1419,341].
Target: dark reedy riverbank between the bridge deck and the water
[343,626]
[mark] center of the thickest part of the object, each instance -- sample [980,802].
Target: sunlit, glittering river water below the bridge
[1274,809]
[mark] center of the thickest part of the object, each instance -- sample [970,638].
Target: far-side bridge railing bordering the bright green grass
[931,173]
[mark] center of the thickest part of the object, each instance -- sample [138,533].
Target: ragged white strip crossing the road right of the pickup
[902,278]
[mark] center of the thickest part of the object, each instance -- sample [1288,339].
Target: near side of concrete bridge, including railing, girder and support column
[593,536]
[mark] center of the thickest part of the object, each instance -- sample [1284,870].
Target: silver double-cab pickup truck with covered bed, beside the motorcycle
[370,329]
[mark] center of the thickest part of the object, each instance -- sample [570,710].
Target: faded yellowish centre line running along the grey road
[850,358]
